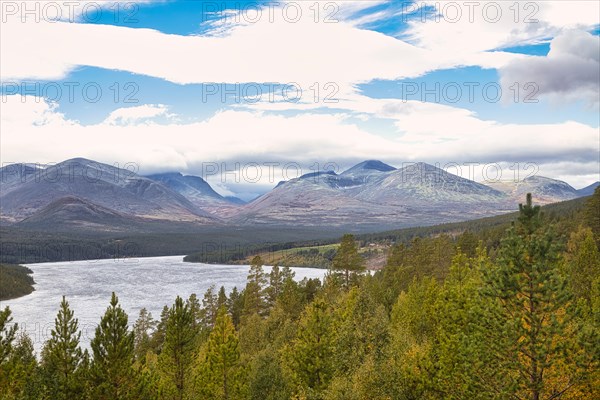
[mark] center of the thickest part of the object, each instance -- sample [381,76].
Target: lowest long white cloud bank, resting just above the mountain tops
[426,132]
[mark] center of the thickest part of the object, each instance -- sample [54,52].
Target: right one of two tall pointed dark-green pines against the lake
[113,355]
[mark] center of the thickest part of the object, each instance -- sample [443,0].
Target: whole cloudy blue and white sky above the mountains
[248,93]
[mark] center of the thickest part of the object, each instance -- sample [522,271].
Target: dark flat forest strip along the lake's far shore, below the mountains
[217,244]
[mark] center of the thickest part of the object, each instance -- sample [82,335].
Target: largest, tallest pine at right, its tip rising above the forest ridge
[528,326]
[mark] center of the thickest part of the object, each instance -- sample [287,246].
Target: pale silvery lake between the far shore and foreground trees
[144,282]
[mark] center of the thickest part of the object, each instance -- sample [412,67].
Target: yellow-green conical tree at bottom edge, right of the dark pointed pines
[221,373]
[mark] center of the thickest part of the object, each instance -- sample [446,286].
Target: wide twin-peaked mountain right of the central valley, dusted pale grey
[374,194]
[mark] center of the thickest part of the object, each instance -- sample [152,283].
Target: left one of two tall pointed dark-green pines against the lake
[62,356]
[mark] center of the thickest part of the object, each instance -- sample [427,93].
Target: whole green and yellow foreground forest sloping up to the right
[447,318]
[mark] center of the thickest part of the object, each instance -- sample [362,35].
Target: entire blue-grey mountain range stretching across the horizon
[81,194]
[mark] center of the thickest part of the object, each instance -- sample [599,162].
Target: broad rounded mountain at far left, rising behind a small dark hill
[120,191]
